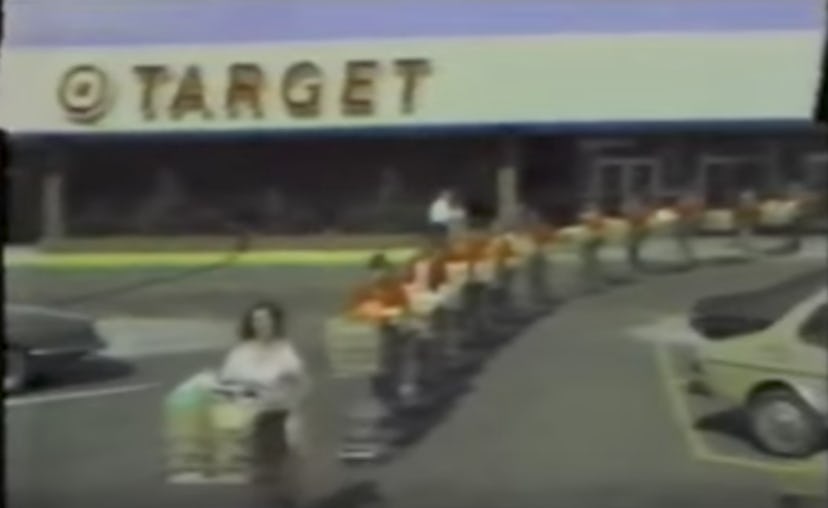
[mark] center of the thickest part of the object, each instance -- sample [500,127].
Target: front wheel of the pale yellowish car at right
[782,424]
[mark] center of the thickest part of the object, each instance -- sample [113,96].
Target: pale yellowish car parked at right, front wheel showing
[779,373]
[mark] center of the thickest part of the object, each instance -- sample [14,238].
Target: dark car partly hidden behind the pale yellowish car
[722,317]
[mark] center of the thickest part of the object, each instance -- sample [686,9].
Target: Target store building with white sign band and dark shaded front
[347,113]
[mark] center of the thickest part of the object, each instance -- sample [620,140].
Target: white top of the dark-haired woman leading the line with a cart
[274,368]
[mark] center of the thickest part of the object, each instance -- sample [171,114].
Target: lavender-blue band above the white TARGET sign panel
[54,23]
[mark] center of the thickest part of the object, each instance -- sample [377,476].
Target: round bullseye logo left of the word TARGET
[85,94]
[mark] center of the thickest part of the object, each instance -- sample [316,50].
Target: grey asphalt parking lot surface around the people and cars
[571,413]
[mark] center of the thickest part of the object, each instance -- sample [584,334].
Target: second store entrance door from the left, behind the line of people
[724,177]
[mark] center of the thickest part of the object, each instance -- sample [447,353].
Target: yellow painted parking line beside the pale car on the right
[699,449]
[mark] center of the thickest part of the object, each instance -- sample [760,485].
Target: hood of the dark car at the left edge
[40,327]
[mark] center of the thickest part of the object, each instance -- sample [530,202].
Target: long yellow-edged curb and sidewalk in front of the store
[815,247]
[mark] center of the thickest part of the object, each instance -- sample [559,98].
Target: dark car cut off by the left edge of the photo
[39,341]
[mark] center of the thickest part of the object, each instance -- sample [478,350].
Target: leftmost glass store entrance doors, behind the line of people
[617,179]
